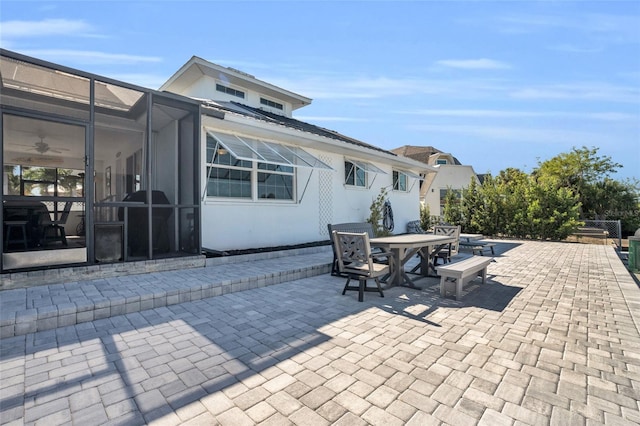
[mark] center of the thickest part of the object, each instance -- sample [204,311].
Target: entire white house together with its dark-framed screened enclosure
[98,171]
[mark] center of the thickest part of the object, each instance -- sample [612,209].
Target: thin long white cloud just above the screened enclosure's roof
[90,57]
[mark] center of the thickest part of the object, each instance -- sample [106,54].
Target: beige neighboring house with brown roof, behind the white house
[450,175]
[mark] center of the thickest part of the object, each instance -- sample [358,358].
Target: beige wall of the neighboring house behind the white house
[448,176]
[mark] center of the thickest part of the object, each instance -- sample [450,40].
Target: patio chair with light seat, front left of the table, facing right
[356,261]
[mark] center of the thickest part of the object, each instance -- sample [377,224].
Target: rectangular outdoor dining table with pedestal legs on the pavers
[404,247]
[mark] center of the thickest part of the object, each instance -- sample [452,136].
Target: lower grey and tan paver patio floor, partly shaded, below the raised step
[552,338]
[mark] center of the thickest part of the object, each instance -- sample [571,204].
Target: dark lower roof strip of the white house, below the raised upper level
[259,114]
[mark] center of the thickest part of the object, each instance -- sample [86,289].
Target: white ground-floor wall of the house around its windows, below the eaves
[229,224]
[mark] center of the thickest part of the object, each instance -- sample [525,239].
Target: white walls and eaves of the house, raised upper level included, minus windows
[321,196]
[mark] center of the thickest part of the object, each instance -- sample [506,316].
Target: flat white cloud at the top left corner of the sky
[45,28]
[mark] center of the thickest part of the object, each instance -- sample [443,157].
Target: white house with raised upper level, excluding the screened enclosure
[271,180]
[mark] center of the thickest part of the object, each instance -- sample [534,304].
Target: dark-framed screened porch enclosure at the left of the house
[94,171]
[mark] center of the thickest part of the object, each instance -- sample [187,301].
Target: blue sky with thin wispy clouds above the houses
[497,84]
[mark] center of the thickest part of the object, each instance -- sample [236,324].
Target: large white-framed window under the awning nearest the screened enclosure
[231,177]
